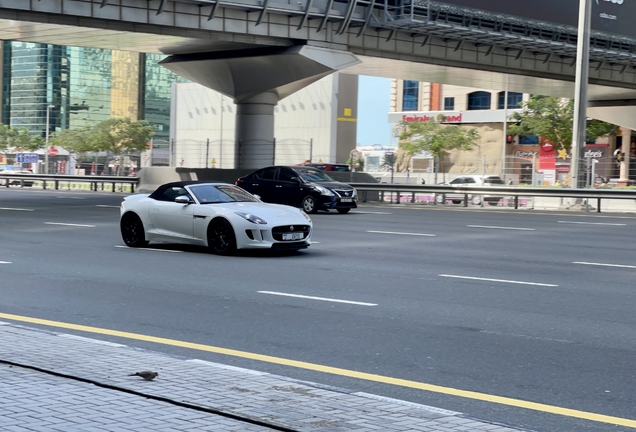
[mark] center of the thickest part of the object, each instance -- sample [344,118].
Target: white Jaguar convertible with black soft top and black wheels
[221,216]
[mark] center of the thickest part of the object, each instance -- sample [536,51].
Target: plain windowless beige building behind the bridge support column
[317,123]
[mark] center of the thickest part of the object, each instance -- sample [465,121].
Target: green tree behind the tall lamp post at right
[551,119]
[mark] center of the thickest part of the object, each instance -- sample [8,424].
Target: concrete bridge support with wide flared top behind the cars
[257,79]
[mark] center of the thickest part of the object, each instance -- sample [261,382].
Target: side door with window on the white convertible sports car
[170,218]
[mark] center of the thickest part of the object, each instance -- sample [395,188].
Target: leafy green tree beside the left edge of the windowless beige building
[120,136]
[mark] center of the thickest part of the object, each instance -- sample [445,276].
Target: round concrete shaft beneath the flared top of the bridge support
[255,130]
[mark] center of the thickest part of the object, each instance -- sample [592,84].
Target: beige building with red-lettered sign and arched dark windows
[521,159]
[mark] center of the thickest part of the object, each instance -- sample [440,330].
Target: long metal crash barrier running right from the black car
[514,193]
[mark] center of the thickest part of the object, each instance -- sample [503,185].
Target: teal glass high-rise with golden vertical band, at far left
[85,86]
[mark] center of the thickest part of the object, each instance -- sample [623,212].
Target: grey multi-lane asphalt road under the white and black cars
[528,305]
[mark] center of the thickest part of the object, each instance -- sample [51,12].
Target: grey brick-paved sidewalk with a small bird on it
[61,382]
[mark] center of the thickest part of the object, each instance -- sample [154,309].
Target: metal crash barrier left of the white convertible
[57,179]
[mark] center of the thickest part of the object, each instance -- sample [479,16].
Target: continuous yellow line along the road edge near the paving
[467,394]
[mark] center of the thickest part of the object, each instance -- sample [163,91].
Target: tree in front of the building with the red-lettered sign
[436,139]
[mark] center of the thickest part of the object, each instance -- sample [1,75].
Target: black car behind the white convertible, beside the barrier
[300,186]
